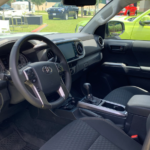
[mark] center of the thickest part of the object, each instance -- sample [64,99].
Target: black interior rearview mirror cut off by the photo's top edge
[79,2]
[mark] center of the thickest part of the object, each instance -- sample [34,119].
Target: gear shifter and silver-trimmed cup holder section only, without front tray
[113,111]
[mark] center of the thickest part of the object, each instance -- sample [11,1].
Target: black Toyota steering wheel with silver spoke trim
[43,77]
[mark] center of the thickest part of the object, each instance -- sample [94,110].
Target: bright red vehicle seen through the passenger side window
[130,10]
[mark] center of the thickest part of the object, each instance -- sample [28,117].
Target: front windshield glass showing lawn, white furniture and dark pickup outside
[46,17]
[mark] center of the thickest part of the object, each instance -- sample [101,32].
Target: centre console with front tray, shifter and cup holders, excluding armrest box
[90,106]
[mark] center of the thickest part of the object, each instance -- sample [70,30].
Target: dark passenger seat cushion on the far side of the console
[122,95]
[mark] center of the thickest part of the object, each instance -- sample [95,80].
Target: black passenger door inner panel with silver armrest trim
[127,62]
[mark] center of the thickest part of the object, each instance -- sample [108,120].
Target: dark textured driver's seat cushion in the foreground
[91,134]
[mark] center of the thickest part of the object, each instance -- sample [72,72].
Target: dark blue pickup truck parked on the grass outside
[61,11]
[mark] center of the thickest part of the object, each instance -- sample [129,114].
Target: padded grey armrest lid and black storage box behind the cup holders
[138,109]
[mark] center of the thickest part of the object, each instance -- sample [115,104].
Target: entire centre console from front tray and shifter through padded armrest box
[131,118]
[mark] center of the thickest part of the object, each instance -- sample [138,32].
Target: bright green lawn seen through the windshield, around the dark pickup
[55,25]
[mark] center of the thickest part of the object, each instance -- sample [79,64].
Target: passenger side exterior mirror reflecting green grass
[114,28]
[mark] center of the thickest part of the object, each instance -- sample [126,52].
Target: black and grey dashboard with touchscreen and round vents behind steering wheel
[81,52]
